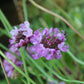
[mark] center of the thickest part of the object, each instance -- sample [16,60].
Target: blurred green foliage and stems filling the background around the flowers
[42,71]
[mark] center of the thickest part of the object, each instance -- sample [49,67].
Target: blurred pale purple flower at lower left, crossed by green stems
[8,67]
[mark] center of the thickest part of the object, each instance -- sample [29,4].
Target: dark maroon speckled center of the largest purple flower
[50,42]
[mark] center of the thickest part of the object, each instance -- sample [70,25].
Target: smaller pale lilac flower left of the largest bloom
[21,36]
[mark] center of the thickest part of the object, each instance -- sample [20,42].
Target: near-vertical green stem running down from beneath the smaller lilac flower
[24,63]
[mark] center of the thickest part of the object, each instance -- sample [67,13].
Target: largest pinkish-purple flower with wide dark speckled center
[50,43]
